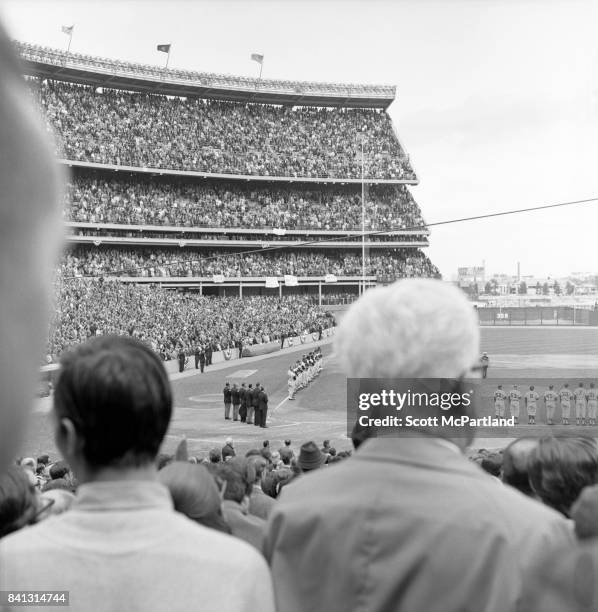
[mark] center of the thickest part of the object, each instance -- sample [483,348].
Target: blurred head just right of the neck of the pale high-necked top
[194,494]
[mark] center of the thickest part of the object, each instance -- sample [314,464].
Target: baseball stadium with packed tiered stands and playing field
[186,233]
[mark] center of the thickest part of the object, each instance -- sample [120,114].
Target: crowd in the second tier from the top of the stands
[138,200]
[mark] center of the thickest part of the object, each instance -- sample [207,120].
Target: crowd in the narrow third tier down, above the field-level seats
[164,262]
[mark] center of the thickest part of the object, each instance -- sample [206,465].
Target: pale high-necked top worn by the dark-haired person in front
[123,547]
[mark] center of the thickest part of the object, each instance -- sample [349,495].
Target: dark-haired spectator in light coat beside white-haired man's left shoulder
[237,487]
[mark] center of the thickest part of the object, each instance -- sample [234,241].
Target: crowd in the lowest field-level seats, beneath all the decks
[169,321]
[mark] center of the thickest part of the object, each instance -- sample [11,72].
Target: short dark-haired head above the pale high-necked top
[116,393]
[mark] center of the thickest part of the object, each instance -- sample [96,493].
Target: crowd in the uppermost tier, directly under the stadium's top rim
[155,131]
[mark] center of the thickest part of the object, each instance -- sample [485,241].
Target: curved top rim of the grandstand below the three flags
[51,63]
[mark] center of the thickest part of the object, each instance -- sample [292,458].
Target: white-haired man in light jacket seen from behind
[418,526]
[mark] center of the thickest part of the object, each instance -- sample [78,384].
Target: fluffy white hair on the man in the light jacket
[414,328]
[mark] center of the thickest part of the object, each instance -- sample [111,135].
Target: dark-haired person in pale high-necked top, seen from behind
[122,546]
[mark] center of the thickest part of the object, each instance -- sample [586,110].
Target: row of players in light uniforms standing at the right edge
[584,400]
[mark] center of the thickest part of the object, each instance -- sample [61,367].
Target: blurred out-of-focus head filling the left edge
[30,237]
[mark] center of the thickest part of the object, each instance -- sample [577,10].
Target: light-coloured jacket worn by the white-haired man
[409,525]
